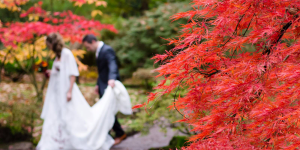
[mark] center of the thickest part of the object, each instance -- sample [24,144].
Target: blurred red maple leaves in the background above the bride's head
[71,26]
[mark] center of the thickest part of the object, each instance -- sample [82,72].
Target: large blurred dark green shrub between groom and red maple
[140,38]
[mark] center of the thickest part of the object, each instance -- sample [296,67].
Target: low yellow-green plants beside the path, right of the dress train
[156,114]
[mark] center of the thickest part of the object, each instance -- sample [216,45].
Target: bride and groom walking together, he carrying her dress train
[69,122]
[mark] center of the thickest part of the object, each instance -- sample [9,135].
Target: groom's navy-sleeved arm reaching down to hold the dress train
[112,64]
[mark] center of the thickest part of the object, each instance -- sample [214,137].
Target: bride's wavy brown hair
[57,42]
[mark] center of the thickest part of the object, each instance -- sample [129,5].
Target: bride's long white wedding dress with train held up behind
[75,125]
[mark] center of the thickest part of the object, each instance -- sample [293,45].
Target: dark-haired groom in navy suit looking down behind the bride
[108,73]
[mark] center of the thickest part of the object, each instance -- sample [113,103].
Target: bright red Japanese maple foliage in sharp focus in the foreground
[239,61]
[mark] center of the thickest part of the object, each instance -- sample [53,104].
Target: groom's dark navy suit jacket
[107,67]
